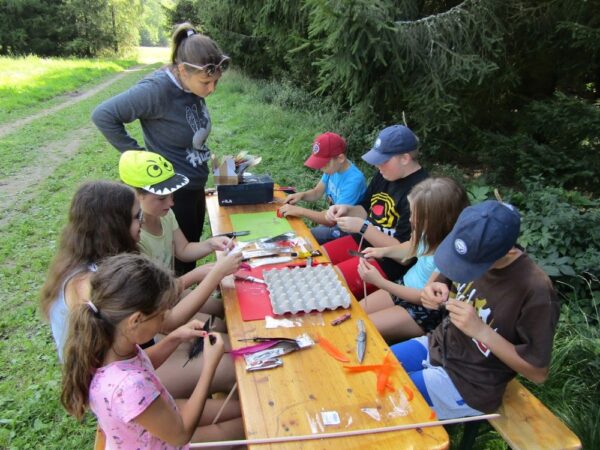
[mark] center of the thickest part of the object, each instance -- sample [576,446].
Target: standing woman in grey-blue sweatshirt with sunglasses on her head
[175,122]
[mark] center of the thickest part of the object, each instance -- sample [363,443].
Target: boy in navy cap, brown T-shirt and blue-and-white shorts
[502,312]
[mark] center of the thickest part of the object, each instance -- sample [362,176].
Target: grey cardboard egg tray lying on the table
[305,289]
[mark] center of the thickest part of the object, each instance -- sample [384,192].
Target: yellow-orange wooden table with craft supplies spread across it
[289,400]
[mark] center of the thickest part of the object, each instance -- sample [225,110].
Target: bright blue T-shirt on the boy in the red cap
[345,188]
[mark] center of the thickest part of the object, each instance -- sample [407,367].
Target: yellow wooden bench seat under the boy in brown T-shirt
[525,423]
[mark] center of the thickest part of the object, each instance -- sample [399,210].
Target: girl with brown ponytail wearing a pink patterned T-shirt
[106,370]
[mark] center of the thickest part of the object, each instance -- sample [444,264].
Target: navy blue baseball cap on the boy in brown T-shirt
[483,234]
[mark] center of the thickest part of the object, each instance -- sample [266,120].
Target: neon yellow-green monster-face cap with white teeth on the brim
[150,171]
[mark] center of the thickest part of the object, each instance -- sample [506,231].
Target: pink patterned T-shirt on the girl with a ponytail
[121,391]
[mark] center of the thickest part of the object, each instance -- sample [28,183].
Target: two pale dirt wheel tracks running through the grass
[17,188]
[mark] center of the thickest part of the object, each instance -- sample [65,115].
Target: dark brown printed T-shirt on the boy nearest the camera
[519,303]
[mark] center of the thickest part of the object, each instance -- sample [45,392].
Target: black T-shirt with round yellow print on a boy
[386,203]
